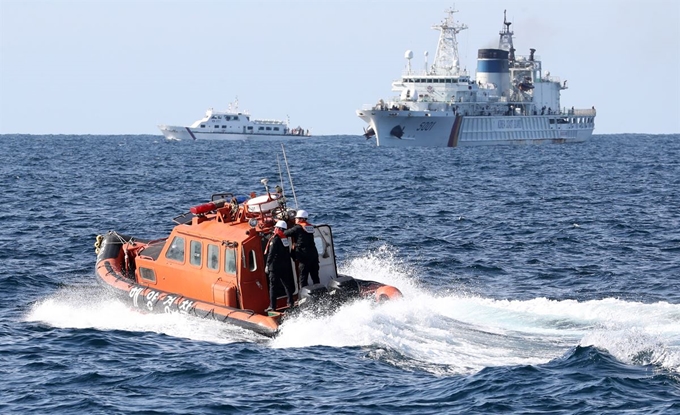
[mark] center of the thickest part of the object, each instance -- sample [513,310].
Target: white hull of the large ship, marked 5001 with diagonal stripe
[446,129]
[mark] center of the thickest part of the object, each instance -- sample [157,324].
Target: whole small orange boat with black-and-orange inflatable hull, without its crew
[212,266]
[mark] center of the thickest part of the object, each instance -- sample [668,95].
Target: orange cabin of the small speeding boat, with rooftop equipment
[215,254]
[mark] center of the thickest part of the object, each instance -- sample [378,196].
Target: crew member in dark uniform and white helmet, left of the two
[278,267]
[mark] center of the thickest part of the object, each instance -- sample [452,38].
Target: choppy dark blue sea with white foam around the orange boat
[537,279]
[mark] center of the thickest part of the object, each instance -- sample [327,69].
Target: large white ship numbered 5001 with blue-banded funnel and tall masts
[511,100]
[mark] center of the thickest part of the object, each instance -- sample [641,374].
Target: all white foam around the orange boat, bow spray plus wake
[444,332]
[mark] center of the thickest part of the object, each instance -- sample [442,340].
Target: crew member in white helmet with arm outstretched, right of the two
[305,249]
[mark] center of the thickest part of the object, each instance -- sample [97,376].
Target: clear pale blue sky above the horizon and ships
[123,67]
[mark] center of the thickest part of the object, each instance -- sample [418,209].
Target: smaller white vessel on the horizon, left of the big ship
[232,124]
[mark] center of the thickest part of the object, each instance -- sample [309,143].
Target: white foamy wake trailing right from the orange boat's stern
[456,332]
